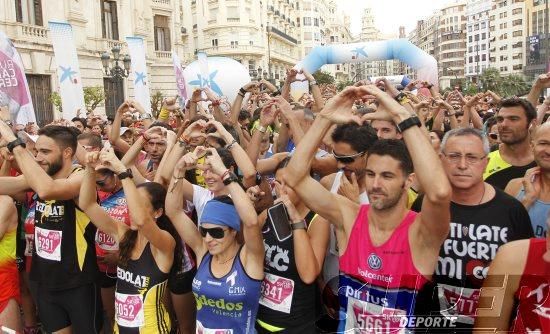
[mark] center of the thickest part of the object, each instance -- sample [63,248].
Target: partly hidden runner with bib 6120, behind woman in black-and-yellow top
[112,200]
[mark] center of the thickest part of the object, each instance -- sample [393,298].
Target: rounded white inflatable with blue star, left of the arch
[225,76]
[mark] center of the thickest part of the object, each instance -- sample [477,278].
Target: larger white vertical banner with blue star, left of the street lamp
[68,71]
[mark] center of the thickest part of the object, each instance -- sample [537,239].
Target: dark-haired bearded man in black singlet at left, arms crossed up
[64,268]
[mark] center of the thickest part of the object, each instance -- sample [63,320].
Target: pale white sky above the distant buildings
[390,14]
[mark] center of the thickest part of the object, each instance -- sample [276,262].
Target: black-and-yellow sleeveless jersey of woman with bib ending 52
[139,291]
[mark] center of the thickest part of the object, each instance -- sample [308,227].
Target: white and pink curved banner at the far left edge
[14,90]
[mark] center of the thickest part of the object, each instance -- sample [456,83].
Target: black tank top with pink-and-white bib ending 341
[286,301]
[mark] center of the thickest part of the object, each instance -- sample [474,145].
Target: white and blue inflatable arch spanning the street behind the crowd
[401,49]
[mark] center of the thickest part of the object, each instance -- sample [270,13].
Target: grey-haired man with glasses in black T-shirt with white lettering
[483,218]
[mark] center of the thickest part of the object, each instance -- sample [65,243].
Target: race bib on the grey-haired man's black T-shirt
[458,302]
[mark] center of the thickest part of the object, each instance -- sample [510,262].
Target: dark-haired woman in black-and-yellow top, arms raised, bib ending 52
[147,247]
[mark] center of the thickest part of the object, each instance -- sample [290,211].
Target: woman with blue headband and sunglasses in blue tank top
[229,274]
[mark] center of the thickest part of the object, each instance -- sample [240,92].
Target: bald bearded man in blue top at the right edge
[533,190]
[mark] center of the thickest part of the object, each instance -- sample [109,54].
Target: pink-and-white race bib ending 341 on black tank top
[277,293]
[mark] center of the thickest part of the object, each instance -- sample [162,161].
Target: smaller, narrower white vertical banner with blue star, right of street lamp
[136,48]
